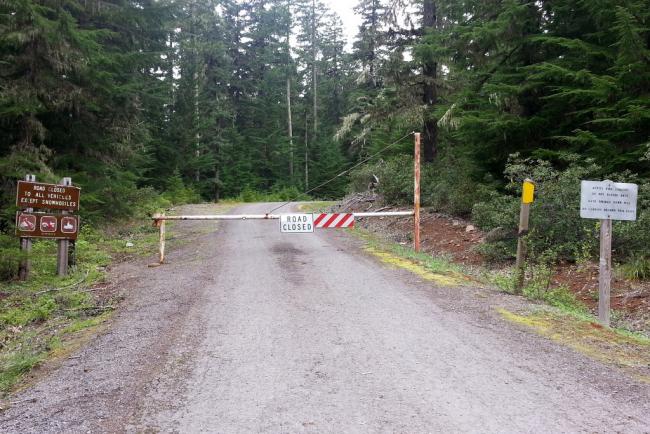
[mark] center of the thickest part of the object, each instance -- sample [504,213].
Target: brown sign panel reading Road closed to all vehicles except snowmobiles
[47,196]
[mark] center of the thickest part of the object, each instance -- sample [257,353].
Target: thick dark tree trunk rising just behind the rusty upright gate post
[430,90]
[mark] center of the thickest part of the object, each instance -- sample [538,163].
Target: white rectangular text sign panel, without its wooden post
[607,200]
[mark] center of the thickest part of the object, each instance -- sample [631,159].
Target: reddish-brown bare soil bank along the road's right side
[457,240]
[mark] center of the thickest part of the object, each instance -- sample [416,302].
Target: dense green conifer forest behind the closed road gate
[210,99]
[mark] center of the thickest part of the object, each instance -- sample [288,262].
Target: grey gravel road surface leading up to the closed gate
[249,330]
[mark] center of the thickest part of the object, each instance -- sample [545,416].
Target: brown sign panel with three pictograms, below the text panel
[55,226]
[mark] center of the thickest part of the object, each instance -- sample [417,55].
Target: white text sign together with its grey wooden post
[607,201]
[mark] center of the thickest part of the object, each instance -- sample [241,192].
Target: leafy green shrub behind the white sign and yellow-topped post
[557,232]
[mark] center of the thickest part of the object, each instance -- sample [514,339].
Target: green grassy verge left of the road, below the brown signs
[41,316]
